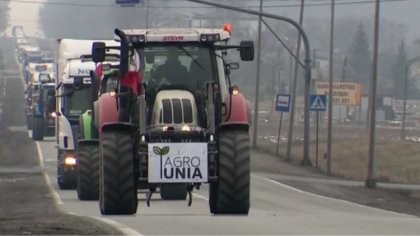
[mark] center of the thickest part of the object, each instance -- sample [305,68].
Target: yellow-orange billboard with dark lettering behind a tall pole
[344,93]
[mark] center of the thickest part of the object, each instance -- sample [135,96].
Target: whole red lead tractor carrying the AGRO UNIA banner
[179,121]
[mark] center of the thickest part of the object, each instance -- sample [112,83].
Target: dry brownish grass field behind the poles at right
[396,161]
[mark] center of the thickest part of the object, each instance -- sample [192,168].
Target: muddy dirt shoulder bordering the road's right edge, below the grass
[315,181]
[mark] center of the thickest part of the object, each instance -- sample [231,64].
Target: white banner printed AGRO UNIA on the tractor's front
[178,162]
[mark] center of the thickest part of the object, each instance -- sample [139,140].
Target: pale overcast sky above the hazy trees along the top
[404,12]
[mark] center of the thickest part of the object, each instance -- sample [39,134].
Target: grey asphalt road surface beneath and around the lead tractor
[276,209]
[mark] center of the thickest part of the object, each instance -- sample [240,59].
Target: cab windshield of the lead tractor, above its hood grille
[188,66]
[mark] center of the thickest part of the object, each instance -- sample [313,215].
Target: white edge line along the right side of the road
[326,198]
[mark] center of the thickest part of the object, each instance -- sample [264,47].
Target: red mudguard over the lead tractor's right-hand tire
[239,113]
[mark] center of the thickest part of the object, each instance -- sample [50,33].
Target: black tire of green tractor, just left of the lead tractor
[88,171]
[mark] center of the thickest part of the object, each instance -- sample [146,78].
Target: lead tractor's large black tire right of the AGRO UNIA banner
[231,193]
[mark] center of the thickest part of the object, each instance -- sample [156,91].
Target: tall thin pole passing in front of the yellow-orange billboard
[330,90]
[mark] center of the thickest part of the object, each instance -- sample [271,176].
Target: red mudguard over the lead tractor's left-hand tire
[108,112]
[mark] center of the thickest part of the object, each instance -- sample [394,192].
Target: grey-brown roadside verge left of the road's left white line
[26,203]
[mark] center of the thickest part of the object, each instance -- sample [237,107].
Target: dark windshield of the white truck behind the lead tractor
[76,101]
